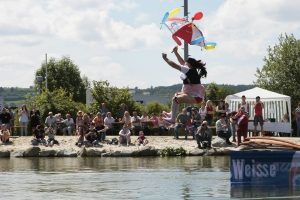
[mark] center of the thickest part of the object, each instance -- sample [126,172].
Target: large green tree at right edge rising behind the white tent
[281,70]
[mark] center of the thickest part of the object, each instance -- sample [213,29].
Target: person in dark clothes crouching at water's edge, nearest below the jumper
[203,136]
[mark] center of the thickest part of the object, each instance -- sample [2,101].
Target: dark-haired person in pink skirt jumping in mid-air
[192,90]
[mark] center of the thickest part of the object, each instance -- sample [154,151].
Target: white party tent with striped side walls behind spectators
[276,105]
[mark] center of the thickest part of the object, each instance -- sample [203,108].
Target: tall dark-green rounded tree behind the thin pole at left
[63,74]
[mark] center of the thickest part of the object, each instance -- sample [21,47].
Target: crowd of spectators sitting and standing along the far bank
[90,130]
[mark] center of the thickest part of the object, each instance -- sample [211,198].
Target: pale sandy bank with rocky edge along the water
[21,147]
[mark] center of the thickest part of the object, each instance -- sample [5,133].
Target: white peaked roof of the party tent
[254,92]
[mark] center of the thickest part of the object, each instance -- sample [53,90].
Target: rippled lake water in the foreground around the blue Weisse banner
[205,177]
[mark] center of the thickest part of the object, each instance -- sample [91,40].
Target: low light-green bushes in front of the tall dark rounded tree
[57,101]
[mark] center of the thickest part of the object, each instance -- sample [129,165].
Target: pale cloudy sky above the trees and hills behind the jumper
[120,41]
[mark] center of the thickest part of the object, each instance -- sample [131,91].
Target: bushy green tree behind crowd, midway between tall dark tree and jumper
[113,97]
